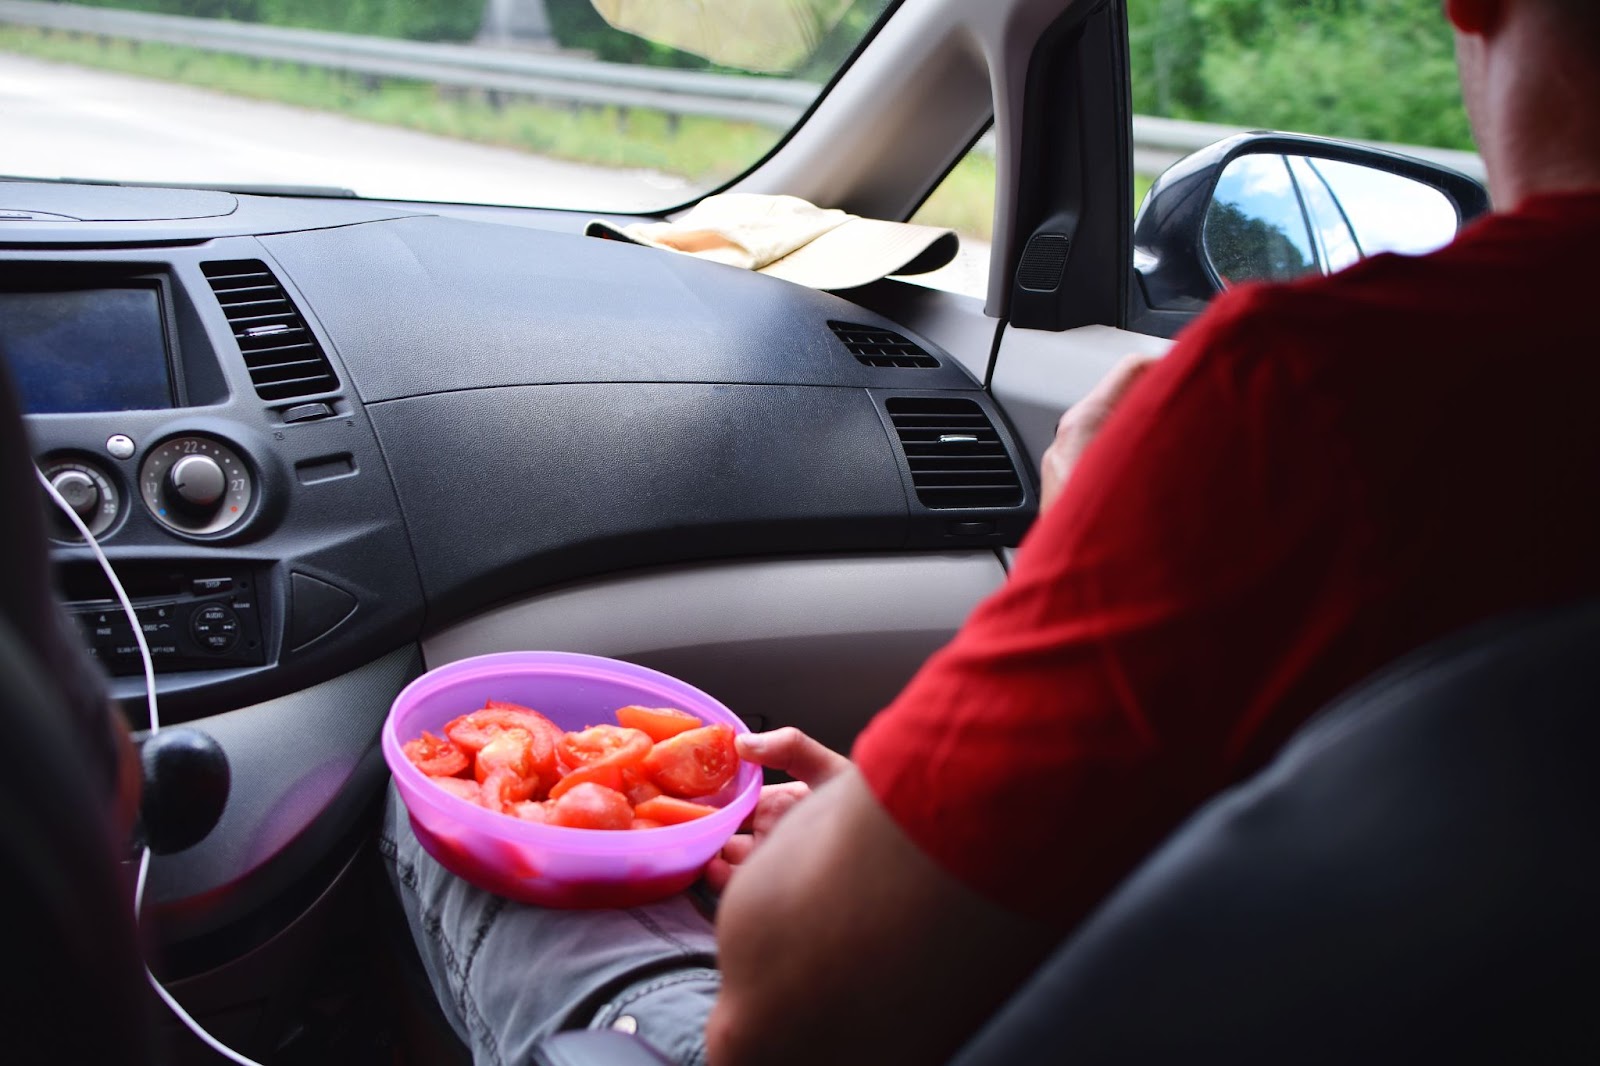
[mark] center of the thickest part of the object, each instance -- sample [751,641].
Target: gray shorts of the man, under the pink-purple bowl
[510,976]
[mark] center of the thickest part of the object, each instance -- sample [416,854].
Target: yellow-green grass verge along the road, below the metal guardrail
[705,151]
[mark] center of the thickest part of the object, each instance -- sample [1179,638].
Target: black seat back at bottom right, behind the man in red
[1414,880]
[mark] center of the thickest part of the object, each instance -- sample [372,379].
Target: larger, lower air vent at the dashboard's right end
[958,460]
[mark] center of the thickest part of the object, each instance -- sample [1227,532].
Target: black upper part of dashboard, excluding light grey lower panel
[385,420]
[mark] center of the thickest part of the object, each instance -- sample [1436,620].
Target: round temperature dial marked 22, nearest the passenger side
[196,486]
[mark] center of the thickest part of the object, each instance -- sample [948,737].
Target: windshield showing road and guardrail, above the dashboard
[535,103]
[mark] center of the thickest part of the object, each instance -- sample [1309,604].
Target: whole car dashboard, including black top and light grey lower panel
[391,436]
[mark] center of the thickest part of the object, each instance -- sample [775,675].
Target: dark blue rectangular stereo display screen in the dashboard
[94,350]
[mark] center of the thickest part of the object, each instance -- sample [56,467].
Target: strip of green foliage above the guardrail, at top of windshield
[415,20]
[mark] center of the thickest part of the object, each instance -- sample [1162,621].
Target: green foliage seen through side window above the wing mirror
[1374,70]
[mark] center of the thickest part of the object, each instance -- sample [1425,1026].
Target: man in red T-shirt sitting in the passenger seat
[1316,481]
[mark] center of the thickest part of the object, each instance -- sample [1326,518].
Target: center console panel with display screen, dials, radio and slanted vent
[188,407]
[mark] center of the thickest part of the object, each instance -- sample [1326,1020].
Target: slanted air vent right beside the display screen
[284,358]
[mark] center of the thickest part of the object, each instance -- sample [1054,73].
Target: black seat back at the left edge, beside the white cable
[71,982]
